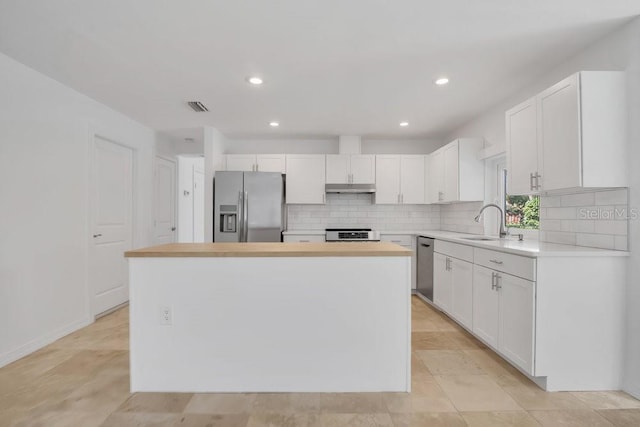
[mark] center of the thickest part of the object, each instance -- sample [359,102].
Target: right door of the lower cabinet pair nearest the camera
[517,301]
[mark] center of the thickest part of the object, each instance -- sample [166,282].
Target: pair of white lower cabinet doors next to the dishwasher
[452,287]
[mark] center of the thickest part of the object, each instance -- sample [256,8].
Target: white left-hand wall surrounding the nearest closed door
[44,227]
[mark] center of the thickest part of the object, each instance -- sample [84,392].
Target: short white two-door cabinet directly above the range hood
[351,169]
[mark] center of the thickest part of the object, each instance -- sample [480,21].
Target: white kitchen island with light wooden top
[270,317]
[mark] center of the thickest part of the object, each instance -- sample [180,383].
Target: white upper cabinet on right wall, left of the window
[455,173]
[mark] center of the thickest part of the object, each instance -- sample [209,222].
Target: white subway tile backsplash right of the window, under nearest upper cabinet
[596,219]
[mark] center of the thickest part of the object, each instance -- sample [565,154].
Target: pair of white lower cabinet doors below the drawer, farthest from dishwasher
[503,314]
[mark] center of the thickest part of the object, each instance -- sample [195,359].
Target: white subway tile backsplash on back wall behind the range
[350,210]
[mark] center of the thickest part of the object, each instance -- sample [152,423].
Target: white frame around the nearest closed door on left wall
[95,132]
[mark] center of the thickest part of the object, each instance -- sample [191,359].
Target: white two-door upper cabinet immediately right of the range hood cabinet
[400,179]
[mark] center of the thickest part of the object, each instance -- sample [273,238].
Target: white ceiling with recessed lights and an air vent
[330,67]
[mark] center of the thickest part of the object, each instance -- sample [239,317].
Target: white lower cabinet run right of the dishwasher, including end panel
[557,318]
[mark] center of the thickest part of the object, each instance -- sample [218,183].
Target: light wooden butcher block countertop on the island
[350,249]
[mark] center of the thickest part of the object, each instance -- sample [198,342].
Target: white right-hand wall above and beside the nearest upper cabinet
[617,51]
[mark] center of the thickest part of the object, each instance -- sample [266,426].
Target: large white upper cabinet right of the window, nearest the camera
[575,131]
